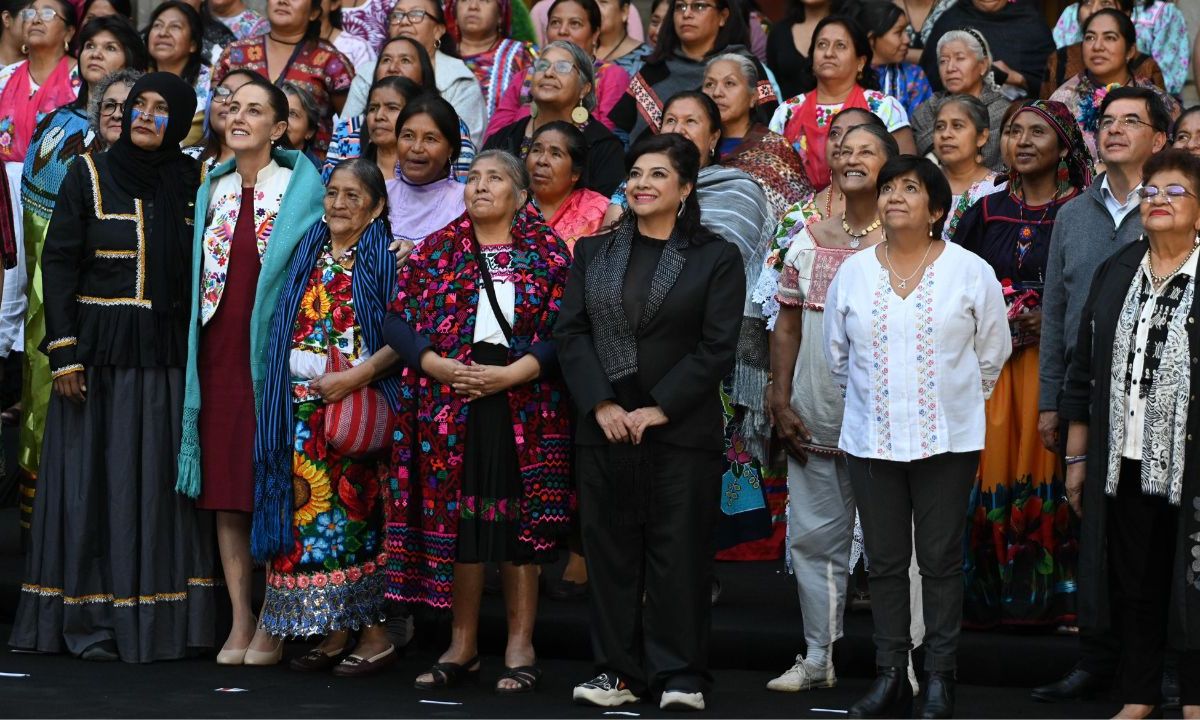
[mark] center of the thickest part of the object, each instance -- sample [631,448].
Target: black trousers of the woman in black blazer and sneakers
[651,536]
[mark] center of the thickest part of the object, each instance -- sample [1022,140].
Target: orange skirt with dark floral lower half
[1022,545]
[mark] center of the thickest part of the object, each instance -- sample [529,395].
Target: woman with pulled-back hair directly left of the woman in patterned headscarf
[961,134]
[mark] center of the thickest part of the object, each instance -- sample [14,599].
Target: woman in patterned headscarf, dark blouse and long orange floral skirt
[1011,230]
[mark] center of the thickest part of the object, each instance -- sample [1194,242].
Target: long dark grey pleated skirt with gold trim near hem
[117,555]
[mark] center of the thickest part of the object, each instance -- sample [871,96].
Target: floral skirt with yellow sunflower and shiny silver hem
[334,578]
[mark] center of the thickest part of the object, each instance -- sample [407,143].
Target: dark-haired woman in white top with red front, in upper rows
[842,58]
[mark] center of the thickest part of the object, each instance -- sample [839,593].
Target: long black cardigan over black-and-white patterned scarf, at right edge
[1087,400]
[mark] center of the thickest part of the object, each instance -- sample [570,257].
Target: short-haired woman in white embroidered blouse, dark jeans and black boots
[916,334]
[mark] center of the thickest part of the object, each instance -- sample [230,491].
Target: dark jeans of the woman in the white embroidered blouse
[893,497]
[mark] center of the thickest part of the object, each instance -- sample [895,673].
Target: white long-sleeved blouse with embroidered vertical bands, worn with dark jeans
[916,370]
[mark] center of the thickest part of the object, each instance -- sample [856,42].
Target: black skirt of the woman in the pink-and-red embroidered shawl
[490,512]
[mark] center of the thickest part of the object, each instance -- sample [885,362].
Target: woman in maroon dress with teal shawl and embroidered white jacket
[250,217]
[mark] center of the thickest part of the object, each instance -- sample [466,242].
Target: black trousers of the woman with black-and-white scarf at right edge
[1142,562]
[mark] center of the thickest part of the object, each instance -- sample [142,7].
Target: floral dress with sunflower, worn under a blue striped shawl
[334,577]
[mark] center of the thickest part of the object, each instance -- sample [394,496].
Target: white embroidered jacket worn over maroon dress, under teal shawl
[225,203]
